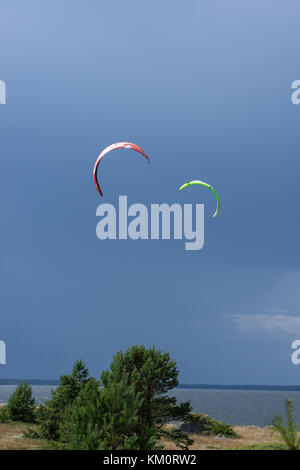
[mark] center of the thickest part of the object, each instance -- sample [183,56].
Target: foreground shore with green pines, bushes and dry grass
[128,408]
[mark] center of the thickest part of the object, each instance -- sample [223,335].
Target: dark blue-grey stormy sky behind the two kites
[204,87]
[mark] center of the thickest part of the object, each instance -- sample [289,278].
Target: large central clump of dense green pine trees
[126,410]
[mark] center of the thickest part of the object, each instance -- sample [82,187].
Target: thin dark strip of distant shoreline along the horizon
[280,388]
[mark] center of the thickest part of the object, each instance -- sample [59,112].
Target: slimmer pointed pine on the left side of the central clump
[52,414]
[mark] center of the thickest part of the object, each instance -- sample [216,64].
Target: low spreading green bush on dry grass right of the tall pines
[206,425]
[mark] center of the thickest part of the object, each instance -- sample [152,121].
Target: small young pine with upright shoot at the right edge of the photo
[289,433]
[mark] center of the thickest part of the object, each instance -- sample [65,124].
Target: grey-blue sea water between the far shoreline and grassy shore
[237,407]
